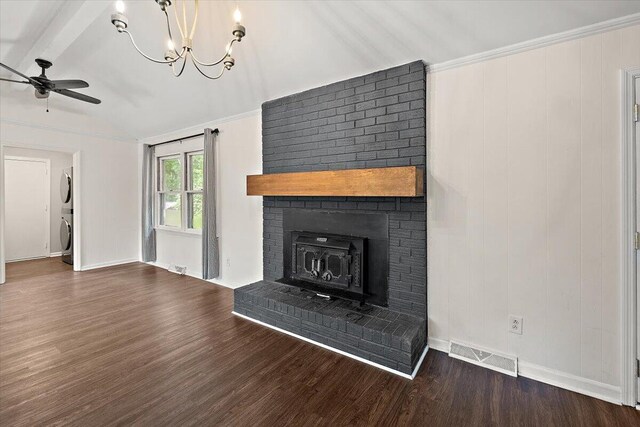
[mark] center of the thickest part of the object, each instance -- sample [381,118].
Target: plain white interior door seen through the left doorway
[26,206]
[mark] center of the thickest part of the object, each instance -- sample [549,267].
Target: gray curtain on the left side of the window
[148,232]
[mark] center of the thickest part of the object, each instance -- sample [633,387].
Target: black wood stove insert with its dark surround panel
[337,254]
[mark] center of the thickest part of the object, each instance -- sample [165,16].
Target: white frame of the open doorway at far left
[77,203]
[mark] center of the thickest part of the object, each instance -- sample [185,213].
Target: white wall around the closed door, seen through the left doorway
[58,161]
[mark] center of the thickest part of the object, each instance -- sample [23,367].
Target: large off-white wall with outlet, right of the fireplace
[524,204]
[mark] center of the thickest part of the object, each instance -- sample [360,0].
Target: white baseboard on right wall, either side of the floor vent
[602,391]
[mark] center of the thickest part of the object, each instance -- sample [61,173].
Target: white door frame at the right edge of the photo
[628,253]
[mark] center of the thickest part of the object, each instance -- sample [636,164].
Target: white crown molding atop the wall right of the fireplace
[577,33]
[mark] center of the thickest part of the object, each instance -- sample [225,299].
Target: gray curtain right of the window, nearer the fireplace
[210,252]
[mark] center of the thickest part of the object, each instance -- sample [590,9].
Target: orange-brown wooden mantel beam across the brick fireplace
[403,181]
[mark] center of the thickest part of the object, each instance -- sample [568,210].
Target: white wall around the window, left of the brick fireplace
[239,217]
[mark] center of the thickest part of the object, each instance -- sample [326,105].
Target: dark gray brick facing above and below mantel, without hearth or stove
[375,120]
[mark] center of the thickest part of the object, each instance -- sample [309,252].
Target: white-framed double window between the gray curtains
[179,191]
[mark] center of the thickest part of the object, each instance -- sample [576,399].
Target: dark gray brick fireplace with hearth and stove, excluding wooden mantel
[372,121]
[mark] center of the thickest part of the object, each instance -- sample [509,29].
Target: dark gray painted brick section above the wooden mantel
[369,121]
